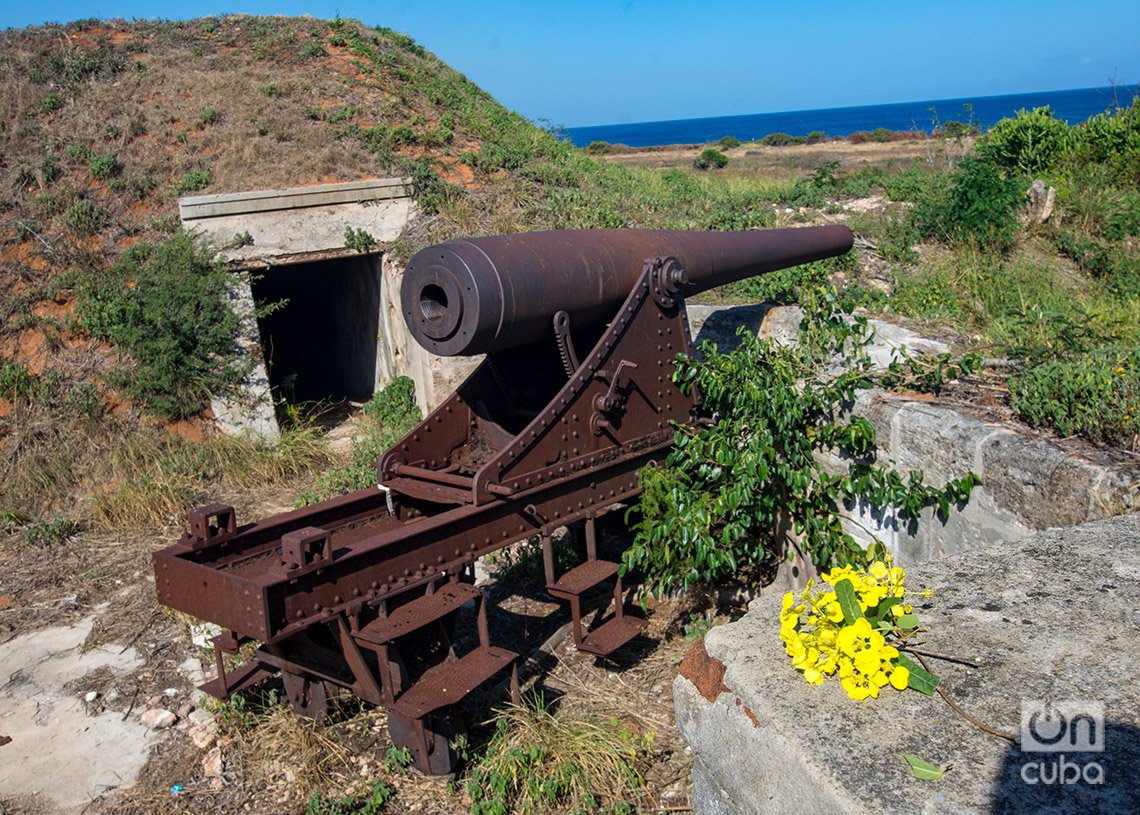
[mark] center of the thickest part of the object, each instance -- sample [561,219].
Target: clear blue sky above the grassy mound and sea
[591,62]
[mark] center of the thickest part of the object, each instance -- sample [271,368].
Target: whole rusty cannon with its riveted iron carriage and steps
[575,396]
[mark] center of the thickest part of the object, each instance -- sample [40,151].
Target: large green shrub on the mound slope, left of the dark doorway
[168,308]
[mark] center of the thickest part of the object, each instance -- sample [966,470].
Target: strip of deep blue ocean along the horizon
[1071,105]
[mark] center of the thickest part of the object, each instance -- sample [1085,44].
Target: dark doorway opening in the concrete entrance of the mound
[321,345]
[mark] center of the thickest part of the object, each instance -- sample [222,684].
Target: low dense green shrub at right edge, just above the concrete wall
[1096,396]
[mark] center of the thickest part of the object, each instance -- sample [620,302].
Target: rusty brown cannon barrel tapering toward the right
[476,296]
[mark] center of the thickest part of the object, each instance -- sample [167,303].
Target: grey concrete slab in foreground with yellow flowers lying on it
[1053,617]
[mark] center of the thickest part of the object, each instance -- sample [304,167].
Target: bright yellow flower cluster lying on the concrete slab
[821,643]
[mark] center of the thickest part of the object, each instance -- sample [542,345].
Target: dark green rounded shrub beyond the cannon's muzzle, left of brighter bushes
[980,207]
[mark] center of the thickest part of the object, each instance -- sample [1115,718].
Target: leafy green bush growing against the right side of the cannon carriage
[743,485]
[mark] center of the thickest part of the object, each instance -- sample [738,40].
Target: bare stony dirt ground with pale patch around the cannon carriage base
[88,607]
